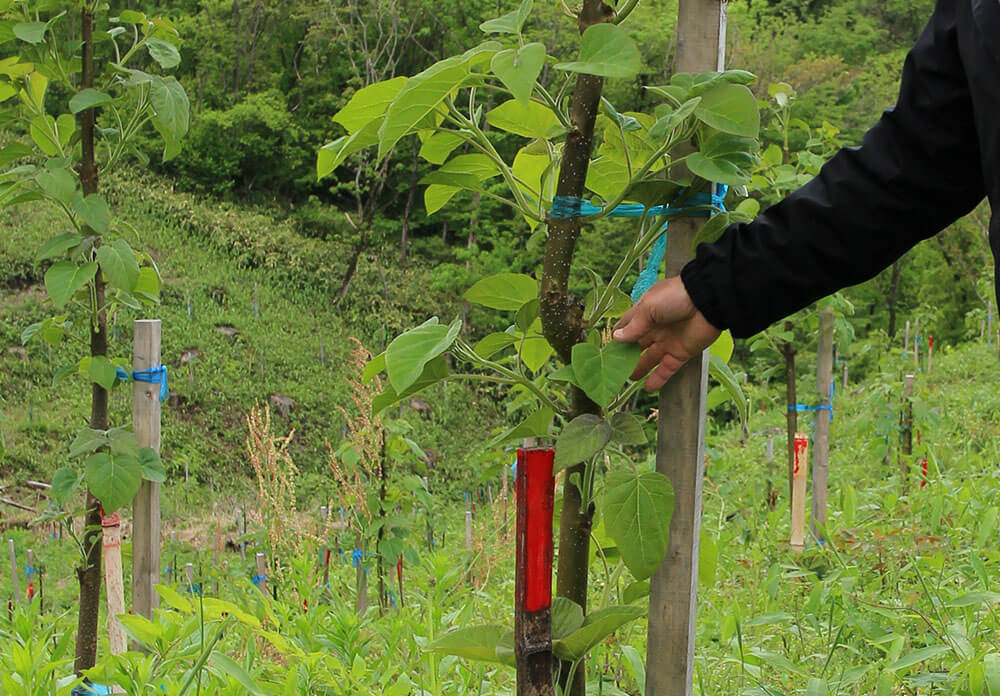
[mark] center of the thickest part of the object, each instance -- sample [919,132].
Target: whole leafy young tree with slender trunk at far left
[62,71]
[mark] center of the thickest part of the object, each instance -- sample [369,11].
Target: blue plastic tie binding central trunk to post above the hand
[565,207]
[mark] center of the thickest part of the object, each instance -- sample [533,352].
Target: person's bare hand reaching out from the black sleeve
[669,329]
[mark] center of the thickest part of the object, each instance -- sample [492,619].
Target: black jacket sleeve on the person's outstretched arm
[916,171]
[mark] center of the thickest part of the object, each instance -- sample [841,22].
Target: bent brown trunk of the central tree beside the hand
[562,324]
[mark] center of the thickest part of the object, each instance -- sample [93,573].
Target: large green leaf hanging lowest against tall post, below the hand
[637,509]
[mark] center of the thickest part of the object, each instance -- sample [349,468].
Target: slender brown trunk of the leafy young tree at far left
[89,574]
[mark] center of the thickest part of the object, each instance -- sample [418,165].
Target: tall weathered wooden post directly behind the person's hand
[701,26]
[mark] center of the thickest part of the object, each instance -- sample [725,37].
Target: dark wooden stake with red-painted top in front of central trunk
[535,490]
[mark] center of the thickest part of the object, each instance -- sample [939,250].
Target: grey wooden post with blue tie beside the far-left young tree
[146,506]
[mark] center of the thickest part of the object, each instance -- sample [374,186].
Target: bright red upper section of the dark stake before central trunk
[535,488]
